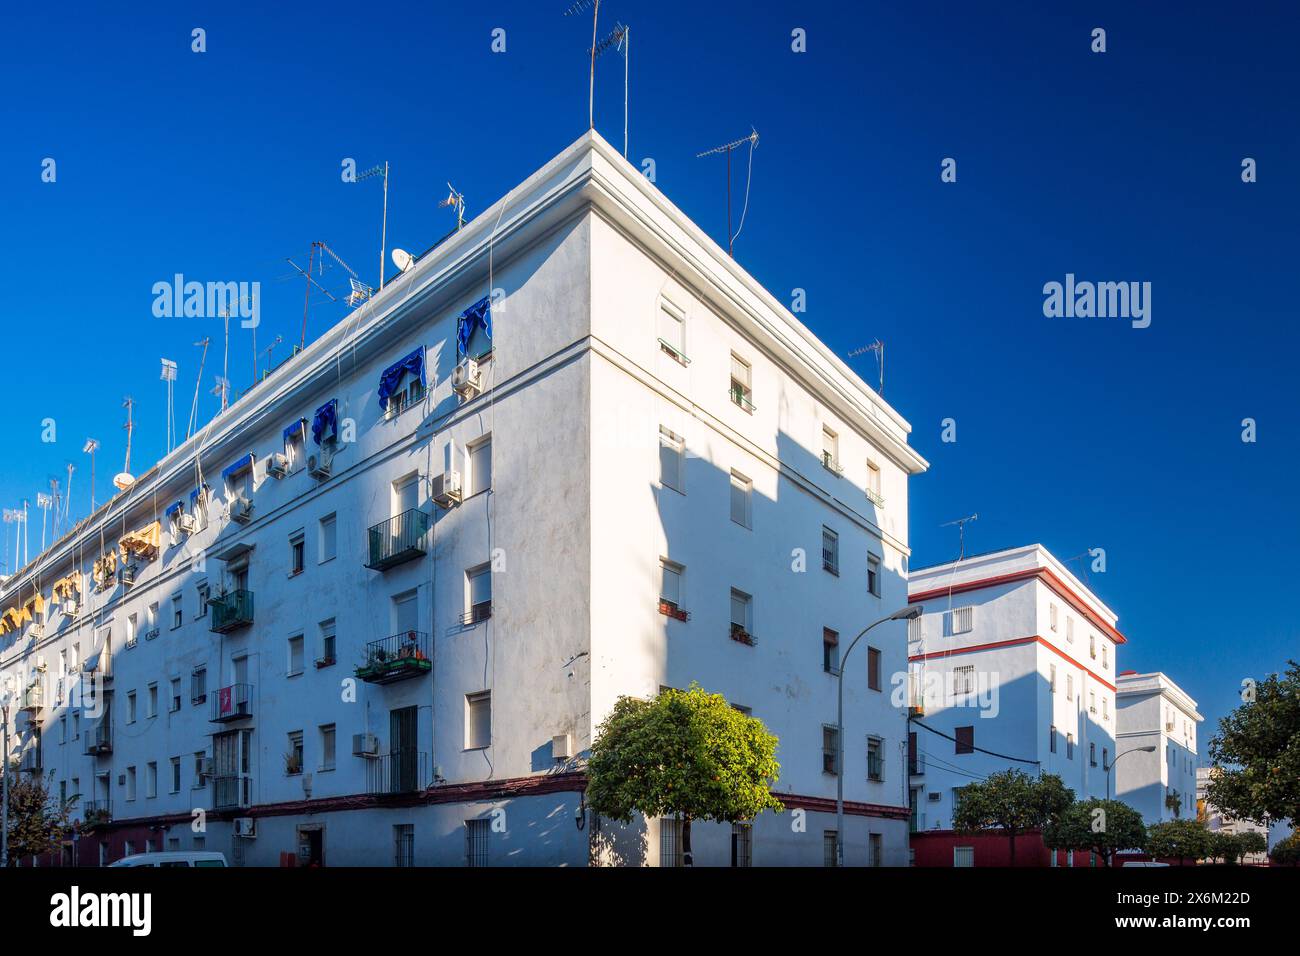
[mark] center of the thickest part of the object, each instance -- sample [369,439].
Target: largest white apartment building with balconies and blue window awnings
[375,612]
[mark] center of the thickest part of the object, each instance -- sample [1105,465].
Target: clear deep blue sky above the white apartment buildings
[1074,432]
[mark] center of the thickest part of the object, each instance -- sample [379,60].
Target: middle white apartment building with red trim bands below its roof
[1013,667]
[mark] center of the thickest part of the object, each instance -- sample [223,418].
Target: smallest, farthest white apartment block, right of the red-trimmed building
[1156,713]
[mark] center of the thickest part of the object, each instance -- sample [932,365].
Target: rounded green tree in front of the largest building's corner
[686,754]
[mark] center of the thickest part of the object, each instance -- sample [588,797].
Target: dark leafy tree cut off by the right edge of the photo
[1256,752]
